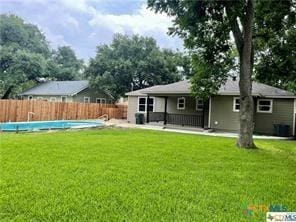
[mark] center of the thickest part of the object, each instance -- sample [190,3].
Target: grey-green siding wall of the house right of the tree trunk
[282,113]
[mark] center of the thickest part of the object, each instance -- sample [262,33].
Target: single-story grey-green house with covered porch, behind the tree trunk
[173,104]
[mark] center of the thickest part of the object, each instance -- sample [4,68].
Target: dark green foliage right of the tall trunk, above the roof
[275,35]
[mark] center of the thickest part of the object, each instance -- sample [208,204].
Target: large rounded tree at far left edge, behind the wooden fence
[24,51]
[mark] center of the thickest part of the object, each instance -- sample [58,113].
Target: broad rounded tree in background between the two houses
[131,63]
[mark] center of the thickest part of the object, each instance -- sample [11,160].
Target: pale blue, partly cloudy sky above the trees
[85,24]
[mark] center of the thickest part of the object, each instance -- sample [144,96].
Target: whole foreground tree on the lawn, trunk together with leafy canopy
[205,27]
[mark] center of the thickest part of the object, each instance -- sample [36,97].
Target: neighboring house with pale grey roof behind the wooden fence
[67,91]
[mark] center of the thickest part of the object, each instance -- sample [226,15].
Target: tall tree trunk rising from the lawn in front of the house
[246,113]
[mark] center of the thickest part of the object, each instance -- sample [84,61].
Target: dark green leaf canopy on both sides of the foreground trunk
[205,27]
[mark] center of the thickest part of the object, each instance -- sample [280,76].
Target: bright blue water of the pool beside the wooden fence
[48,125]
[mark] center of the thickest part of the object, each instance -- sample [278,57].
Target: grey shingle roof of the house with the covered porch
[231,87]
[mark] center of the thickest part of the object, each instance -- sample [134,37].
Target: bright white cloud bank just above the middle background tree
[143,22]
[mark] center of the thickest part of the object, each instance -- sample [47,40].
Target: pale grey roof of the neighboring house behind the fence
[68,88]
